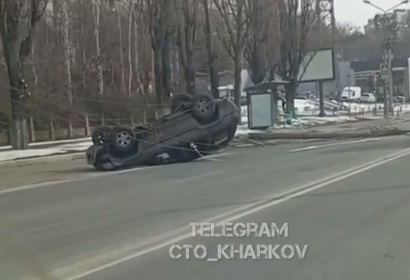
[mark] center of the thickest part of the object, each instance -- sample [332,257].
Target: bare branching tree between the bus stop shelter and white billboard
[296,19]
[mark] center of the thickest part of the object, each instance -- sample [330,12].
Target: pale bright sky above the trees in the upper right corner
[356,12]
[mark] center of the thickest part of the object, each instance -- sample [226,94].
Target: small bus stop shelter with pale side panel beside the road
[263,104]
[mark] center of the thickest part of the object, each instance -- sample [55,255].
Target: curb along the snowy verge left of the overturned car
[42,160]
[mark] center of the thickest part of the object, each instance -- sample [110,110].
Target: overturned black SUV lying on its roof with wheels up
[197,125]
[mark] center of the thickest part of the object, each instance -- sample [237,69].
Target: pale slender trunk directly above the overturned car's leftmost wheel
[96,18]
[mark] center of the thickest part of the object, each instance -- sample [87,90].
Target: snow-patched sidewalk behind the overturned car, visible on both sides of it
[304,128]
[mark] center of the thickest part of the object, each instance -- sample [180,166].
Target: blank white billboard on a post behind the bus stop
[317,66]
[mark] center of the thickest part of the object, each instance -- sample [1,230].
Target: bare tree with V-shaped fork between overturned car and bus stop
[234,14]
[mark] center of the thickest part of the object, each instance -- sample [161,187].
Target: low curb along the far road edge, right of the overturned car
[307,135]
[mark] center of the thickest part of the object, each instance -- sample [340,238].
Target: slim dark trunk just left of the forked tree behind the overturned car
[214,77]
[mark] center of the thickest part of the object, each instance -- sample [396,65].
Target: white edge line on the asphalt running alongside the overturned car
[7,190]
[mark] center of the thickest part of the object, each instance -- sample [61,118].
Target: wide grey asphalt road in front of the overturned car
[353,214]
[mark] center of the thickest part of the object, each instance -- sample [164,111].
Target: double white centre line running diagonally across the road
[178,235]
